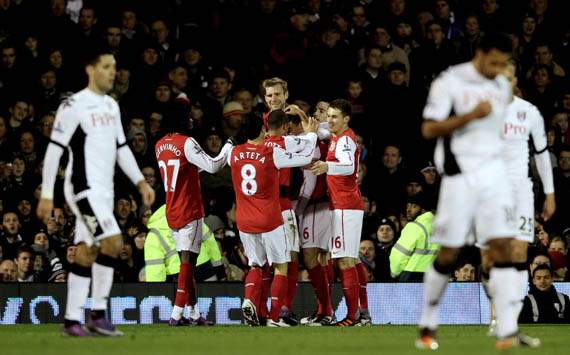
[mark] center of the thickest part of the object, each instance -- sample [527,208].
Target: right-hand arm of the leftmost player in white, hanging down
[129,166]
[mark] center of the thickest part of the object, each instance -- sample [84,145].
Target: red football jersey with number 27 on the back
[181,181]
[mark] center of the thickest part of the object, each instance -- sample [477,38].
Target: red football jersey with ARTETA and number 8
[256,184]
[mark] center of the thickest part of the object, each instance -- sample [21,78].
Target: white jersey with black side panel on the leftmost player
[89,126]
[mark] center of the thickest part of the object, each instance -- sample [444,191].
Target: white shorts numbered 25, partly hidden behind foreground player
[524,206]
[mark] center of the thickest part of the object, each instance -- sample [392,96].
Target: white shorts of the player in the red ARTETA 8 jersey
[271,247]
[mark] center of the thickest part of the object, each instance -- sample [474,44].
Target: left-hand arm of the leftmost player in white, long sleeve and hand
[63,129]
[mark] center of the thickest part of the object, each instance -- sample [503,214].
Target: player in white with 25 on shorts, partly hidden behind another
[522,122]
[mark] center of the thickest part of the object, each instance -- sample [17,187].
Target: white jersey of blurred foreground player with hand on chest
[456,92]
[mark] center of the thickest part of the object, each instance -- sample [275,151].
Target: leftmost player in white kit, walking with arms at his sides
[88,125]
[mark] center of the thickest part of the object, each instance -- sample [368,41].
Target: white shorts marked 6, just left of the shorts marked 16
[316,227]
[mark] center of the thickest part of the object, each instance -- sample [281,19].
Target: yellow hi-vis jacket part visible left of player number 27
[160,255]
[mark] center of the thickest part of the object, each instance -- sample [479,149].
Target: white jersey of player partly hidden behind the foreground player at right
[522,120]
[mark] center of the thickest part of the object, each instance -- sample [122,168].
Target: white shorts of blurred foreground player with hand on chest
[475,207]
